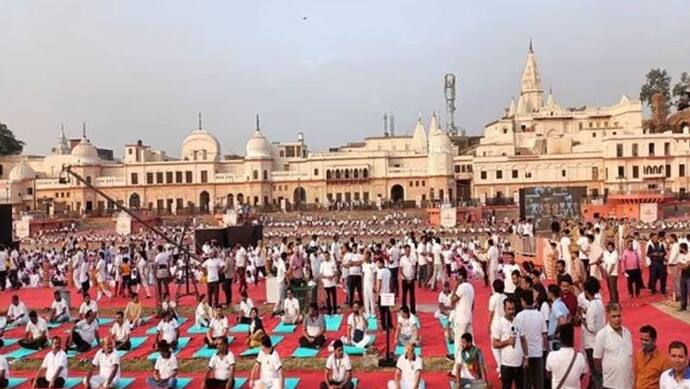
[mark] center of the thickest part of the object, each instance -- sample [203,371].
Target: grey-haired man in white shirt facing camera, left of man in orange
[613,351]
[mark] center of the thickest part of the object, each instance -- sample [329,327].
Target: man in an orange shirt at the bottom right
[649,362]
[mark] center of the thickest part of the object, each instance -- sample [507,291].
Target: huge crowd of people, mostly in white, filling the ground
[534,311]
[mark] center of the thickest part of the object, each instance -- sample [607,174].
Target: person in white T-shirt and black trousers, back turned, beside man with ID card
[531,328]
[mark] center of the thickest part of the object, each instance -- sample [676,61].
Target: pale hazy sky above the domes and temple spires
[136,69]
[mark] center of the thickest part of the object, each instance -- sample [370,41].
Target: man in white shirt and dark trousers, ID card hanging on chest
[505,341]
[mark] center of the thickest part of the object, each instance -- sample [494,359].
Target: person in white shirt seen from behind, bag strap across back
[566,366]
